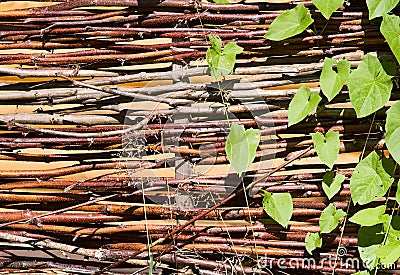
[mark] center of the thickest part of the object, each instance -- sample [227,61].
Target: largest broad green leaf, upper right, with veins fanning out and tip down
[369,86]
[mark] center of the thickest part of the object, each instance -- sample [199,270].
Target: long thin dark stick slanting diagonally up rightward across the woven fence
[204,213]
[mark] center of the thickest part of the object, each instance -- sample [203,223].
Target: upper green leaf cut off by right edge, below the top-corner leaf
[390,29]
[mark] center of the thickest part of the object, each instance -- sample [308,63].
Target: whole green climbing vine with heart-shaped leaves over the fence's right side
[370,89]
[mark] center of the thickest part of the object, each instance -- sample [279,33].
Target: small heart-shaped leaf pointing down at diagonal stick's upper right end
[327,147]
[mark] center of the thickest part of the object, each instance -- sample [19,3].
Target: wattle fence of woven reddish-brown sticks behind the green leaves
[113,133]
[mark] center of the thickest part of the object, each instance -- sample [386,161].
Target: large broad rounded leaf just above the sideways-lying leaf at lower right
[370,180]
